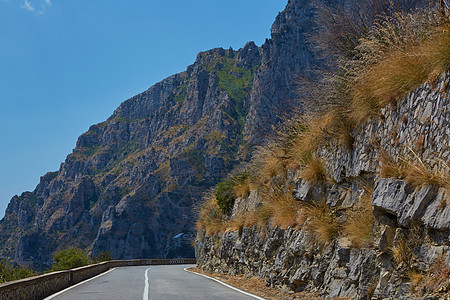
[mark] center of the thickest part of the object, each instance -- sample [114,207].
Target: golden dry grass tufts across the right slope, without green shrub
[395,58]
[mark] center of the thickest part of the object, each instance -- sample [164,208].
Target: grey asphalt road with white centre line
[149,282]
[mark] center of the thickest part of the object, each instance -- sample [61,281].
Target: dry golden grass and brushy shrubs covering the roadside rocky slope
[383,62]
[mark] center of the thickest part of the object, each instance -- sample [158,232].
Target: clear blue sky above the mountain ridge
[65,65]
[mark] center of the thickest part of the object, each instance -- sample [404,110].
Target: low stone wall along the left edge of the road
[39,287]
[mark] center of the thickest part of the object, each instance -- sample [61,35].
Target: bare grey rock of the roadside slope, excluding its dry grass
[410,221]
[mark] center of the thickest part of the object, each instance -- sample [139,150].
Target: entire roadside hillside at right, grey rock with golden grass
[350,201]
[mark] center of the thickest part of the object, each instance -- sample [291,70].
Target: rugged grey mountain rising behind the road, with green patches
[131,182]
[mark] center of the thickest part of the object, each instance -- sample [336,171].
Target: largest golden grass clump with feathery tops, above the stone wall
[401,53]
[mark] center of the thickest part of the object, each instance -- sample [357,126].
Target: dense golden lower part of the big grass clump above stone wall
[401,69]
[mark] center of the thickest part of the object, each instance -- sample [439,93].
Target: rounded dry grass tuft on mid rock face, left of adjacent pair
[322,222]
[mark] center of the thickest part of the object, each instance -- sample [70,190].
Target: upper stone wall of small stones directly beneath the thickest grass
[416,126]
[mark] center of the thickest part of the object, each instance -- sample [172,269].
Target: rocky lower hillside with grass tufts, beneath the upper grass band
[355,234]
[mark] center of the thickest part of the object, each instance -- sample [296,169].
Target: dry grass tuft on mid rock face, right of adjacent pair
[358,227]
